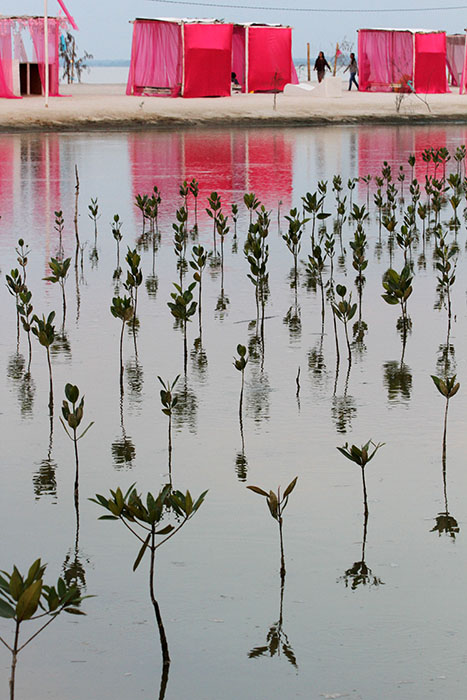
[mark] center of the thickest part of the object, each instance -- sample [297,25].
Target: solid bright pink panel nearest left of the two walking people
[269,58]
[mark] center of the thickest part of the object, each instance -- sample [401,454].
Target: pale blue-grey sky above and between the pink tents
[105,29]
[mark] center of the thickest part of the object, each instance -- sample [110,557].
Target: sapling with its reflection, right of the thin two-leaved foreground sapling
[360,573]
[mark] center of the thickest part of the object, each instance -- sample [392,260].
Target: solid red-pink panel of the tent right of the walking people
[430,63]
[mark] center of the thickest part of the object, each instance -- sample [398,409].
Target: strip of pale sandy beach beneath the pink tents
[94,106]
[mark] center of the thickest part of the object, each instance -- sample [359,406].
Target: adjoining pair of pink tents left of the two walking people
[195,58]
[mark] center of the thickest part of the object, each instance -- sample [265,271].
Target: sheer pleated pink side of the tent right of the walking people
[385,59]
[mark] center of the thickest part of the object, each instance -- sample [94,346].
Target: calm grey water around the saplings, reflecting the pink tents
[218,580]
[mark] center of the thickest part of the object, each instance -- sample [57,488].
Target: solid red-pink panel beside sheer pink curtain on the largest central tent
[208,60]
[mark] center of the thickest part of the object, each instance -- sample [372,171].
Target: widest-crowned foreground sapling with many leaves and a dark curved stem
[144,519]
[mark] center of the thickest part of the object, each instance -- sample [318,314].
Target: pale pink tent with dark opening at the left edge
[16,66]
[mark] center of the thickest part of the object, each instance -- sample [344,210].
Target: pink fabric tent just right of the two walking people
[391,60]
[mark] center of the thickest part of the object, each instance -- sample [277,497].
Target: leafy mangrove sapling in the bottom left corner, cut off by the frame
[28,598]
